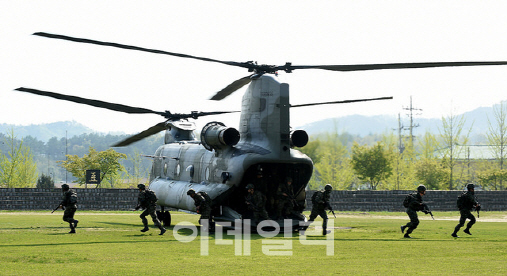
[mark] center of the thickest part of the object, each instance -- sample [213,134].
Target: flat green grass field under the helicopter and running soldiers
[110,243]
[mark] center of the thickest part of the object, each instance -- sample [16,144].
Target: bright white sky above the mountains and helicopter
[269,32]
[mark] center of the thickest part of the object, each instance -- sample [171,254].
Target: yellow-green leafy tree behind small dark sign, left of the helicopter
[108,162]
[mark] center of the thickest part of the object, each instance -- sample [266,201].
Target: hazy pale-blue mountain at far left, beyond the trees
[44,132]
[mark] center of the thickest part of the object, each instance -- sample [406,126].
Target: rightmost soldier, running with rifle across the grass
[466,202]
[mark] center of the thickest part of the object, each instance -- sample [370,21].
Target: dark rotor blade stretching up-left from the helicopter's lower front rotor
[95,103]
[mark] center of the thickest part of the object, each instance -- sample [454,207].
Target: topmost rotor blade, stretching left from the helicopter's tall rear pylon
[130,47]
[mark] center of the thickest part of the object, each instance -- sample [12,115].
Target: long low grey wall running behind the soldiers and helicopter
[126,199]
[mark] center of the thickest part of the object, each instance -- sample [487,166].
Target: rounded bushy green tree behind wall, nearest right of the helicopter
[371,164]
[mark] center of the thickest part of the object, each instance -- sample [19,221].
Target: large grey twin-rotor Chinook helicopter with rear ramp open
[225,160]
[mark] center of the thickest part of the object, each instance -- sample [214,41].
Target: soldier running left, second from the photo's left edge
[148,201]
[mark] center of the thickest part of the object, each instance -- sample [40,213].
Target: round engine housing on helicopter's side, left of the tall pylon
[216,135]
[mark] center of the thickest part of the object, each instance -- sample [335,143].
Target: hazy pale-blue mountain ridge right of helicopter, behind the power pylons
[366,125]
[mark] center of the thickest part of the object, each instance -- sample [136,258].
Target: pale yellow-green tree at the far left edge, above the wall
[17,170]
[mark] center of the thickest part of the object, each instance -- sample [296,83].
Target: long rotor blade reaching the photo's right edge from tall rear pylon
[365,67]
